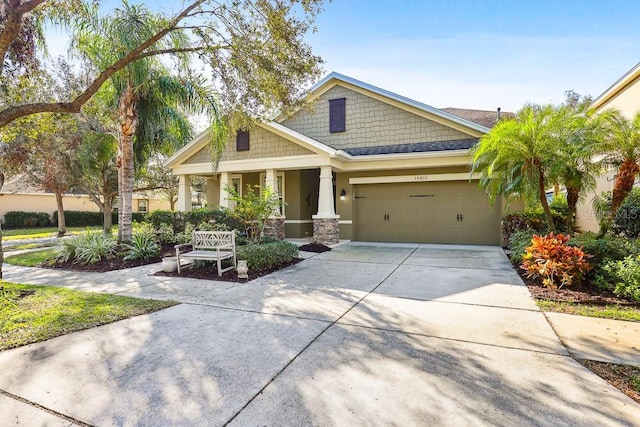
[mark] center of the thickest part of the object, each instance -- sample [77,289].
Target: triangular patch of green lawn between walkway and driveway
[30,314]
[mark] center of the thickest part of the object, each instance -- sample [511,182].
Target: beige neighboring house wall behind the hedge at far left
[47,203]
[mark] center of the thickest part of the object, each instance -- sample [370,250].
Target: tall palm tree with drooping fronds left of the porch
[150,101]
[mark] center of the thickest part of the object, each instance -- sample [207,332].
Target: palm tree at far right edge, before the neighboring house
[623,150]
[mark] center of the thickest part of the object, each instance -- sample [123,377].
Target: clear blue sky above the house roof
[477,54]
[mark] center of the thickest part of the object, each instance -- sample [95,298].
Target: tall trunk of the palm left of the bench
[128,121]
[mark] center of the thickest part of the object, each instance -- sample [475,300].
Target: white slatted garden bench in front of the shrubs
[210,246]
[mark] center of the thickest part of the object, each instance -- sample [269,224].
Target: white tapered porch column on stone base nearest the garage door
[325,222]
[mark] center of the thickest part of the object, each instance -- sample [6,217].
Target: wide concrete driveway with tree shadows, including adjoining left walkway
[367,334]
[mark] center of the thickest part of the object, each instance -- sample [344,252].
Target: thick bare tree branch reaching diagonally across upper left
[12,113]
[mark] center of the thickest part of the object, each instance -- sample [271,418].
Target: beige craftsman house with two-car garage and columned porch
[362,164]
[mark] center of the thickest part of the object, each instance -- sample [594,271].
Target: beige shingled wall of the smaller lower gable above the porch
[262,144]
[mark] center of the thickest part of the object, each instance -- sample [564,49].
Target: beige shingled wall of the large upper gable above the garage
[369,123]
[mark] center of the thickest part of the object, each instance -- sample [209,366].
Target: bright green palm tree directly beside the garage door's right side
[515,156]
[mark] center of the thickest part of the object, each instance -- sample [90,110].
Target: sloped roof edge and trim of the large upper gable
[333,78]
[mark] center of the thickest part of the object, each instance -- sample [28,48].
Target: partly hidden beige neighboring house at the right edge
[624,96]
